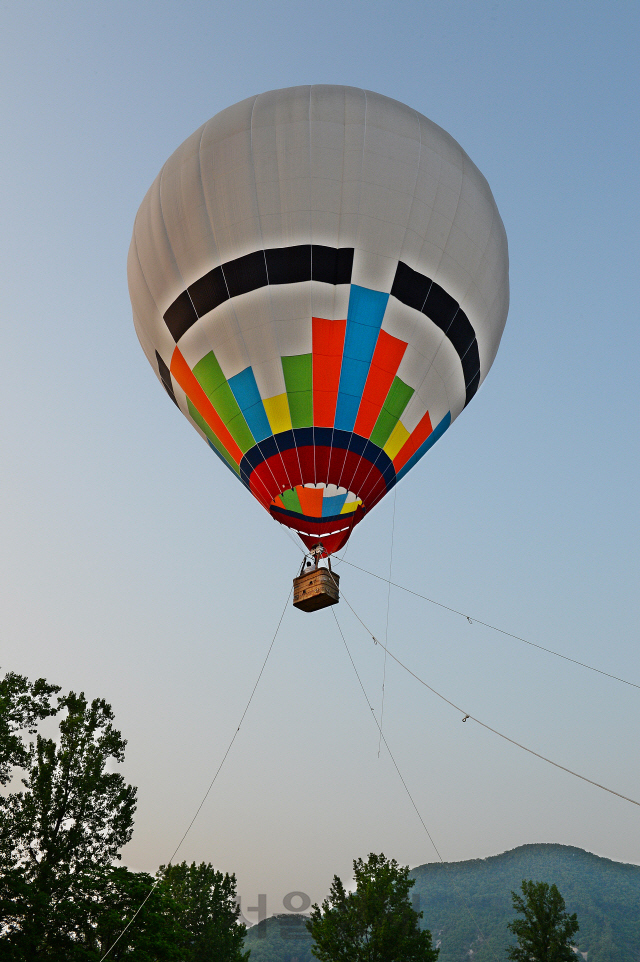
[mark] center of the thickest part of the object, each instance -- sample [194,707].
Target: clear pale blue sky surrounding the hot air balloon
[135,569]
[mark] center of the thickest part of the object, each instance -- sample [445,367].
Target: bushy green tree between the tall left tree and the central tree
[205,902]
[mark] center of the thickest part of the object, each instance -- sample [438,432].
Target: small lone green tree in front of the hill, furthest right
[545,933]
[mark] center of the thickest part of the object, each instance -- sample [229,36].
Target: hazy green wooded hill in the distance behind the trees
[467,906]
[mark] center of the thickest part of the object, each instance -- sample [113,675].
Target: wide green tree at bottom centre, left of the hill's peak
[376,922]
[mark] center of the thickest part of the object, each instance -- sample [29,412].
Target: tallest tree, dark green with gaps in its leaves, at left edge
[69,821]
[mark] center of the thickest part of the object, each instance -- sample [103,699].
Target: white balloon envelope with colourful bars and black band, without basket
[319,279]
